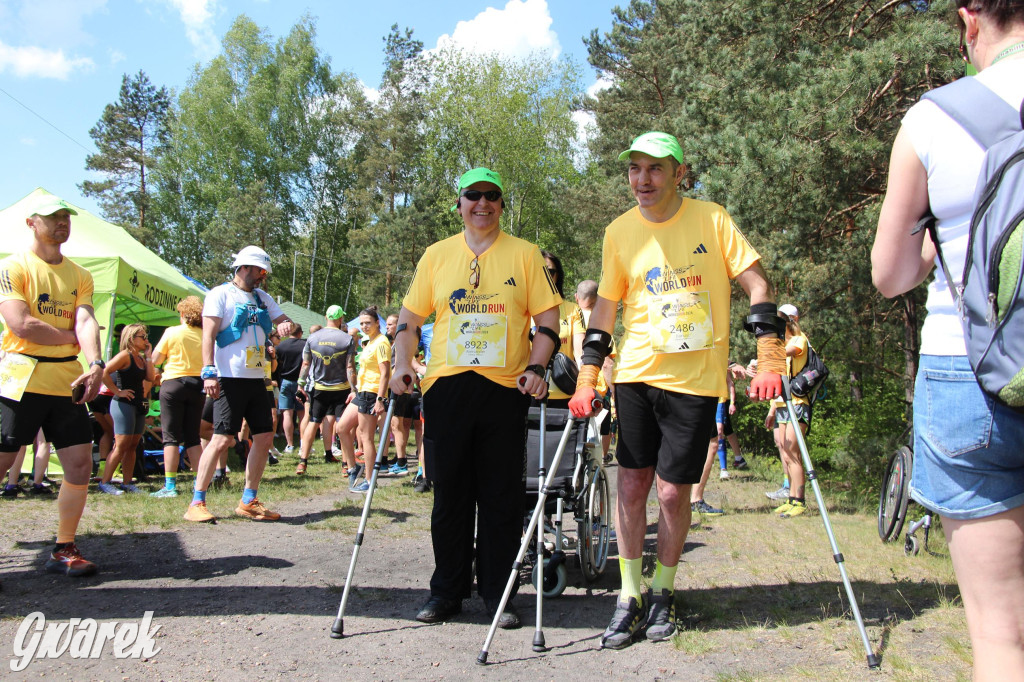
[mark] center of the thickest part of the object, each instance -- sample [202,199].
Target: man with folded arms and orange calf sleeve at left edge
[47,305]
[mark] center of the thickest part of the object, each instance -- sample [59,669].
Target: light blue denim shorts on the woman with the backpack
[968,450]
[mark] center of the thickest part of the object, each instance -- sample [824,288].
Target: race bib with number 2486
[680,322]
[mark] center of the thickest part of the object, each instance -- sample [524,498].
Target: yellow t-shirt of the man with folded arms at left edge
[54,294]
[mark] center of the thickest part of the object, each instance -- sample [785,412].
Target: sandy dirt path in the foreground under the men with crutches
[244,601]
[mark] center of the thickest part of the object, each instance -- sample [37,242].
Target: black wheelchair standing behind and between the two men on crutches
[580,489]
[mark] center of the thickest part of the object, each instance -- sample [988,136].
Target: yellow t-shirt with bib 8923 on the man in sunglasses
[486,329]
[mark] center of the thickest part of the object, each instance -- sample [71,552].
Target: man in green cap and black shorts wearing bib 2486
[669,261]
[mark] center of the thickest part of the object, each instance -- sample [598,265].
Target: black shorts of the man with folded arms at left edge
[64,423]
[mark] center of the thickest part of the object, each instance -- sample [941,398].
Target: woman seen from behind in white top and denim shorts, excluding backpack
[969,458]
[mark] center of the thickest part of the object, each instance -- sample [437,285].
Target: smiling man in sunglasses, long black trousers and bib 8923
[484,286]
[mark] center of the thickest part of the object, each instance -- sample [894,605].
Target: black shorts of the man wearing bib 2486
[665,431]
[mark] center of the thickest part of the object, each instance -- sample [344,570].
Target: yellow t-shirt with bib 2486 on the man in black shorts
[673,280]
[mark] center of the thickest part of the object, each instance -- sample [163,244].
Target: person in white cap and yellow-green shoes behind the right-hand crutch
[784,423]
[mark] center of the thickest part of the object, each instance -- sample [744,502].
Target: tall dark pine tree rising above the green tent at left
[130,137]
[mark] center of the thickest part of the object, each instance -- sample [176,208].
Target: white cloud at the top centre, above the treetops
[522,29]
